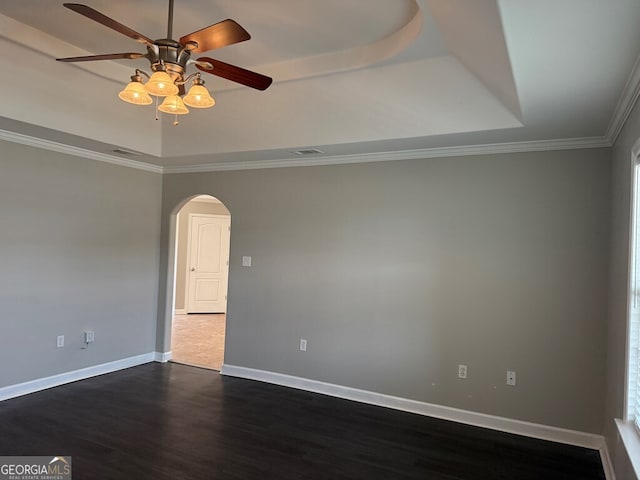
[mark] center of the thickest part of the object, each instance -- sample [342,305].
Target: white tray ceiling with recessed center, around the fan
[357,79]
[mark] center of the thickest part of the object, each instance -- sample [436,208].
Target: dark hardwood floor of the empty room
[171,421]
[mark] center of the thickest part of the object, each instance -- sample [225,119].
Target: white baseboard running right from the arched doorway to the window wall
[519,427]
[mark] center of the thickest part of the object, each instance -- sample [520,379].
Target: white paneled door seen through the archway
[208,263]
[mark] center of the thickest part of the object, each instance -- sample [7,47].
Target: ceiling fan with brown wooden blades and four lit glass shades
[169,59]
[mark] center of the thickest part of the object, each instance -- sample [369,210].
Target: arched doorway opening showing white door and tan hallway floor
[201,282]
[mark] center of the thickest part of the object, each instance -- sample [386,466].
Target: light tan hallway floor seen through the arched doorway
[199,340]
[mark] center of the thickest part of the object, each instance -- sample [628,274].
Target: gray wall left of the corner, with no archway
[78,250]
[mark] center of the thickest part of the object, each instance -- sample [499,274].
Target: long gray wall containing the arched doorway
[396,272]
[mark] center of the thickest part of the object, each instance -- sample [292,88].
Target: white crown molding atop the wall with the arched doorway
[458,151]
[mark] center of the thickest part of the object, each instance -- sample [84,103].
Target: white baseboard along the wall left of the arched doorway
[32,386]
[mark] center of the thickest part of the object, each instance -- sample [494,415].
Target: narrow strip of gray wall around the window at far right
[618,287]
